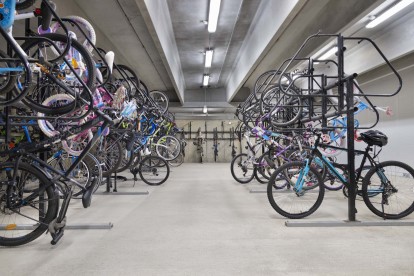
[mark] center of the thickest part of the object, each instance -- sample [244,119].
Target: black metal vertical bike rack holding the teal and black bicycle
[322,114]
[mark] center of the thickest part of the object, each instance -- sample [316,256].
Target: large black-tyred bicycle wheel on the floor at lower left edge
[34,204]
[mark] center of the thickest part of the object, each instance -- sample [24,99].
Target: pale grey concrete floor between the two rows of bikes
[202,222]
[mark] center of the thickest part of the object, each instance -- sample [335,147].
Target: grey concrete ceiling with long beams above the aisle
[164,40]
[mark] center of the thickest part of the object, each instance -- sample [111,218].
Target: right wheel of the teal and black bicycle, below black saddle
[388,190]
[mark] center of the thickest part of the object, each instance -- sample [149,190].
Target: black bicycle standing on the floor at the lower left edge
[29,183]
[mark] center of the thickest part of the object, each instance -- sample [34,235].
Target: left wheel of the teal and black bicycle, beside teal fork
[284,197]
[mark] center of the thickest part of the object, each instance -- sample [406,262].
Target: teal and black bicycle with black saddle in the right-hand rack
[296,189]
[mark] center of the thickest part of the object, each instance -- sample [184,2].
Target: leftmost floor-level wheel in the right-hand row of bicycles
[242,168]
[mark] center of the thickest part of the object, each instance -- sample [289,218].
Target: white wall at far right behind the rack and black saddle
[400,127]
